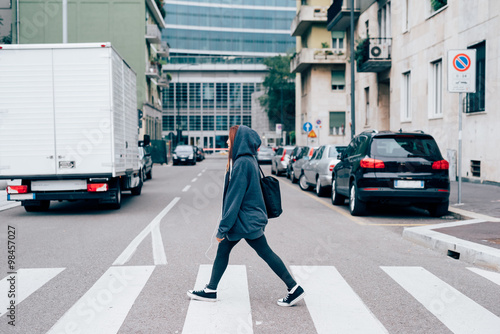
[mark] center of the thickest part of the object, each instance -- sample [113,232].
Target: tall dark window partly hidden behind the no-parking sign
[476,101]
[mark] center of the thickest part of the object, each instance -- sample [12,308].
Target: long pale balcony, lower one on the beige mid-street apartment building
[307,57]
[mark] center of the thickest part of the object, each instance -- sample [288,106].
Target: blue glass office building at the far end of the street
[217,49]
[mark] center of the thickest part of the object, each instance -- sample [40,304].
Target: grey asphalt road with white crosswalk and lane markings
[85,270]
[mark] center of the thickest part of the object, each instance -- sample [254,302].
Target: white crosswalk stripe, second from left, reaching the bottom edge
[105,306]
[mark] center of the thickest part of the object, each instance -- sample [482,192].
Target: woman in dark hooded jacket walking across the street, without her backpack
[244,217]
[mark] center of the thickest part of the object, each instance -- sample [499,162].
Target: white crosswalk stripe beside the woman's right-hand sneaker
[333,304]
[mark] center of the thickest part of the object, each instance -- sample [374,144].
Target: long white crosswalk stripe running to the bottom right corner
[455,310]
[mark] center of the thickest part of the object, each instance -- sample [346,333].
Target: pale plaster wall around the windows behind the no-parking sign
[457,26]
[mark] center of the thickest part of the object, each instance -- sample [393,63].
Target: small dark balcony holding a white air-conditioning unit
[374,55]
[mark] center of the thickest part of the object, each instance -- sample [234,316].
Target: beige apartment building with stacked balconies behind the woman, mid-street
[321,66]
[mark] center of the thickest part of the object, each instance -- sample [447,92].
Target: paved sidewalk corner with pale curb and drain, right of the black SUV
[476,237]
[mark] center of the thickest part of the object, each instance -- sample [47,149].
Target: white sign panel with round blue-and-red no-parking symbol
[462,71]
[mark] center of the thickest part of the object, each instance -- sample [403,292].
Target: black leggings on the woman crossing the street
[263,250]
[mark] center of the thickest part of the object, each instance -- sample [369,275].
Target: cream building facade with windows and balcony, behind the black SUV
[402,75]
